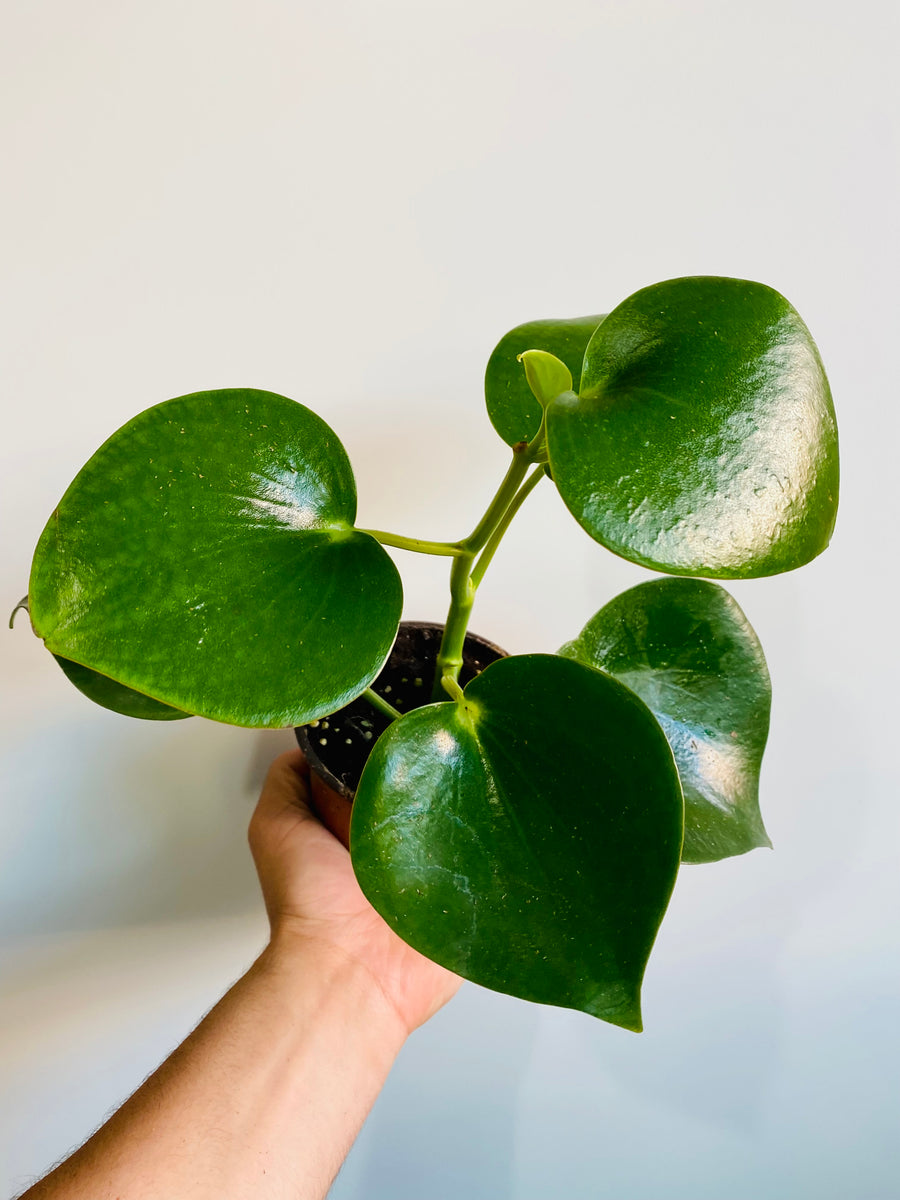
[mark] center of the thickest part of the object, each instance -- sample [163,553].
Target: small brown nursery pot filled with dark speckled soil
[338,747]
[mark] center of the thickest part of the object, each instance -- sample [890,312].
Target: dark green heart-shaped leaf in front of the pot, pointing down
[529,836]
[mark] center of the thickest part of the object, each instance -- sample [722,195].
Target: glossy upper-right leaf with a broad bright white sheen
[704,439]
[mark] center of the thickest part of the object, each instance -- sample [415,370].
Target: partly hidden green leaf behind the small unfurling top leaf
[513,407]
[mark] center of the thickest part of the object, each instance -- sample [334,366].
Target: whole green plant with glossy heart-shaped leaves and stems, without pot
[526,830]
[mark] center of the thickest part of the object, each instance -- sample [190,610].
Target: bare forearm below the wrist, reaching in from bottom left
[263,1100]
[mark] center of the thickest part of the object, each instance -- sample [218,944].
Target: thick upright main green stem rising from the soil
[466,574]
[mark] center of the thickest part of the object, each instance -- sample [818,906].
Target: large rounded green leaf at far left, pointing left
[206,557]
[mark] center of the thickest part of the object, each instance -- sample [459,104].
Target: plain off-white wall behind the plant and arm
[350,203]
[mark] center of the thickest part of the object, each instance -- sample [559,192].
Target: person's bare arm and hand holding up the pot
[268,1094]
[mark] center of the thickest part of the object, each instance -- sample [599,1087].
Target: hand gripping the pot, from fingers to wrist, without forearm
[313,895]
